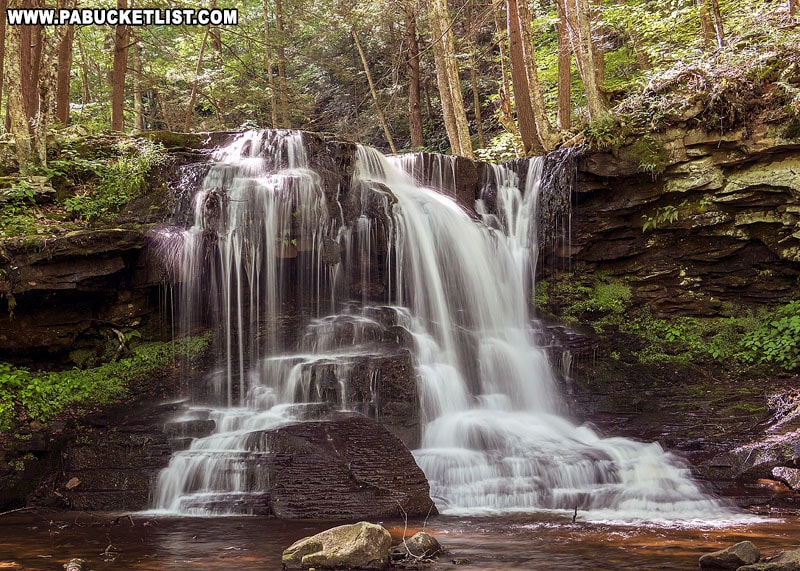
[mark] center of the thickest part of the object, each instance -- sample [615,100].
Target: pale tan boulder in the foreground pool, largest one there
[360,545]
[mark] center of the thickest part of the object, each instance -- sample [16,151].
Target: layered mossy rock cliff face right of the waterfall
[721,223]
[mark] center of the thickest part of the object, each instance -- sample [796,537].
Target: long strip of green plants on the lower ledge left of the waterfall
[41,395]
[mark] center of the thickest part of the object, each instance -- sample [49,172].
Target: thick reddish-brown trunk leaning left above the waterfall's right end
[522,98]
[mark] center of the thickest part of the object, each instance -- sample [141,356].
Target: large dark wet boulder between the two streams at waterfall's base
[345,467]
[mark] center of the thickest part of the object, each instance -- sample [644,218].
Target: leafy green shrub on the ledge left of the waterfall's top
[119,181]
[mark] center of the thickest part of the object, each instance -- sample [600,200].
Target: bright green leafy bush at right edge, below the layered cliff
[777,340]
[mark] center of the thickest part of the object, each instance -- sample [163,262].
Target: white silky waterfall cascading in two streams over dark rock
[493,437]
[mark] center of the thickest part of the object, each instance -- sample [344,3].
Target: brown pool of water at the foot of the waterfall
[45,541]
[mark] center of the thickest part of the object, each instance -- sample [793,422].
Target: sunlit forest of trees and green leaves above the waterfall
[496,79]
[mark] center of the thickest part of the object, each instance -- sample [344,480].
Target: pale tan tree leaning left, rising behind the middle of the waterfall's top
[447,78]
